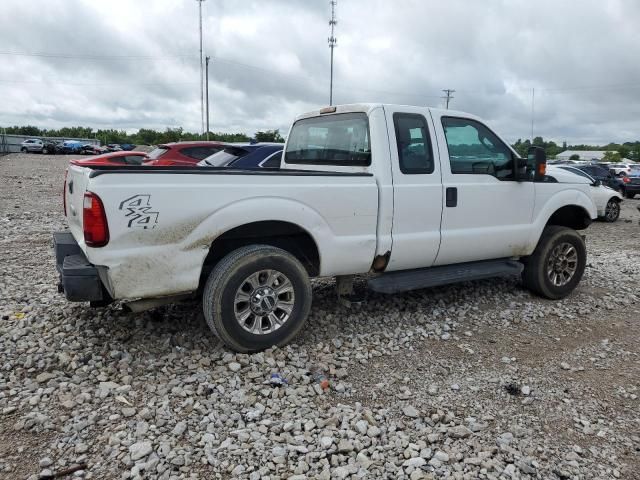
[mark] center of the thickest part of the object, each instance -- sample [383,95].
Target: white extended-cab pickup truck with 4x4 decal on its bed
[412,196]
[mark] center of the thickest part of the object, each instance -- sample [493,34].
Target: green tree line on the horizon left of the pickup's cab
[144,136]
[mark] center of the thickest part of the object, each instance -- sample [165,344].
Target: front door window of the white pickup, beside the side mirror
[474,149]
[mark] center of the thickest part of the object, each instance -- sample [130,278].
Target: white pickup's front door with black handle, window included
[487,214]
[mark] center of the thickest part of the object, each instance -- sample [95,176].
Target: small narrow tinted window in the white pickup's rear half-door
[414,144]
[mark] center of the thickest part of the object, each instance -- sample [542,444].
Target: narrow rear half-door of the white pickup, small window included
[417,188]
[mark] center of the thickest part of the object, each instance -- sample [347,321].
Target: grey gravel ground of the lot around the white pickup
[478,380]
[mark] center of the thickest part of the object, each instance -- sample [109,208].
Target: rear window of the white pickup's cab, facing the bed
[341,139]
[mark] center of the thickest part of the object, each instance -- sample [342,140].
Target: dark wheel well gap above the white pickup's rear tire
[285,235]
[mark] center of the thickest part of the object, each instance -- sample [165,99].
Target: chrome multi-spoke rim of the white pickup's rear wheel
[264,302]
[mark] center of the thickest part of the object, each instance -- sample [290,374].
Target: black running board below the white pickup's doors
[394,282]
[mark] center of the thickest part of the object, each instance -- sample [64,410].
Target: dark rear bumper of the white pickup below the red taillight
[79,279]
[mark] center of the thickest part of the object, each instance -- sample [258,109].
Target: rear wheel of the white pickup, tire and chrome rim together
[256,297]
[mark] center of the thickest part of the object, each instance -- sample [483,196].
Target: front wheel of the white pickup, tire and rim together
[557,264]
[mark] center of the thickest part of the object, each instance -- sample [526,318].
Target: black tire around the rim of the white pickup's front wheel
[535,275]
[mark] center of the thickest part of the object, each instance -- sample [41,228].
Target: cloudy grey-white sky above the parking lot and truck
[128,64]
